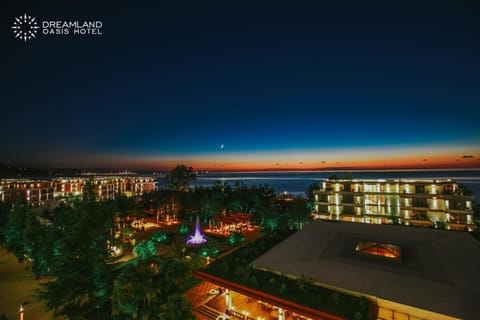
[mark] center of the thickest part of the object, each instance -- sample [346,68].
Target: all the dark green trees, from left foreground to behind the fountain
[73,246]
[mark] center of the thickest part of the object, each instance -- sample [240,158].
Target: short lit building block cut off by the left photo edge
[35,192]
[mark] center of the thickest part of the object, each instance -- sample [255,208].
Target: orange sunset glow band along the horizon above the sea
[418,157]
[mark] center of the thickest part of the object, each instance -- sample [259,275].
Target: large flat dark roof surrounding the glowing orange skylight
[439,271]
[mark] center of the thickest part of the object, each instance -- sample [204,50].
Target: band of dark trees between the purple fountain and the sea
[260,202]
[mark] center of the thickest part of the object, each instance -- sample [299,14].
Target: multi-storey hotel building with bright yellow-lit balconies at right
[439,202]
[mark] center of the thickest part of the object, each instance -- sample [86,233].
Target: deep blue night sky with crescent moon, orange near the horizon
[294,84]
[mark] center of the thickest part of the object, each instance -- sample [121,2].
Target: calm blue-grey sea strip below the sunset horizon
[296,182]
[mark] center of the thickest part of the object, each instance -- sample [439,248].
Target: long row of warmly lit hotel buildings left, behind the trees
[40,192]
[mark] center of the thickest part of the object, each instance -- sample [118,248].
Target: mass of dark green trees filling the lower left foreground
[84,279]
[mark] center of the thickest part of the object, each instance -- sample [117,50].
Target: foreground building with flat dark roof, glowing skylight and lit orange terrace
[402,273]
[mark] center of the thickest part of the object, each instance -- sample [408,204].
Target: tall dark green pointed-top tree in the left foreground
[82,265]
